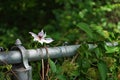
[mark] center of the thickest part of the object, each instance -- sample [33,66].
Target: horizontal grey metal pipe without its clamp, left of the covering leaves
[14,57]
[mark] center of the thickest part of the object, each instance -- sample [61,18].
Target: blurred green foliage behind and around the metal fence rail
[74,21]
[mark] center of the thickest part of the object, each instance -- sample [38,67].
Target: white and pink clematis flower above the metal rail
[41,37]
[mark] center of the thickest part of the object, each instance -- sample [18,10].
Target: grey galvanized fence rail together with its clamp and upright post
[19,57]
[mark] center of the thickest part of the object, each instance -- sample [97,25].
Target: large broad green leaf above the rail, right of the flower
[85,27]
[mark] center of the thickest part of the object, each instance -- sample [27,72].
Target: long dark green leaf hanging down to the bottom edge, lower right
[102,70]
